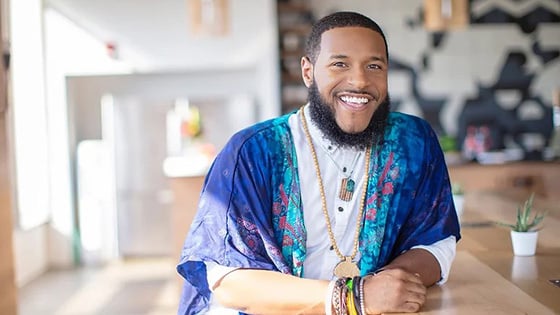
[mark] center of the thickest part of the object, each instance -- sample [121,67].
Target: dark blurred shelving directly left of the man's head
[295,19]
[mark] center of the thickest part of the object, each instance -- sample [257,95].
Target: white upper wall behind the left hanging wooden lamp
[157,36]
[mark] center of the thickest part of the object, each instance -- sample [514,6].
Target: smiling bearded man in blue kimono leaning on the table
[341,189]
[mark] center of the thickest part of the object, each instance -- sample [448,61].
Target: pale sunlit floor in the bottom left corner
[131,287]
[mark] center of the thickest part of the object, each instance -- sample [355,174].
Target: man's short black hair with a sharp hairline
[335,20]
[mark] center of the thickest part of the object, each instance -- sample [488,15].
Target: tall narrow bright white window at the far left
[30,140]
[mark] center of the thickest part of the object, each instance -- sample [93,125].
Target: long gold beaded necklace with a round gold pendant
[346,268]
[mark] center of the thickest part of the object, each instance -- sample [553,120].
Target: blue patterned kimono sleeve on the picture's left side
[232,226]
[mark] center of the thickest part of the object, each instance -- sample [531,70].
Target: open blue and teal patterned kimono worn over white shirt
[250,213]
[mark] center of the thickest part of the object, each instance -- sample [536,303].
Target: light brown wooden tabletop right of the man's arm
[486,278]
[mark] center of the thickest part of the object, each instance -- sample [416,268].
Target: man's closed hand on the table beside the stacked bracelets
[393,290]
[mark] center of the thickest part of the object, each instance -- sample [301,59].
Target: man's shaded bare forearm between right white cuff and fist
[418,261]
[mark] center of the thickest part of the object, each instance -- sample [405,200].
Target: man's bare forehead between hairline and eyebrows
[352,41]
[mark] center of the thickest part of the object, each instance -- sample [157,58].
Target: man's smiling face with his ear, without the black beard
[350,74]
